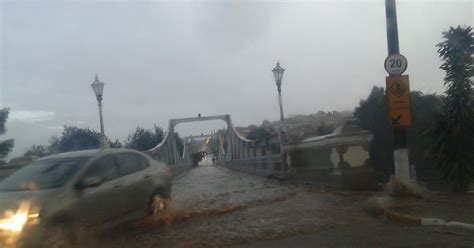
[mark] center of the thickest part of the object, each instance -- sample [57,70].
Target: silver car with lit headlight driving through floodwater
[93,188]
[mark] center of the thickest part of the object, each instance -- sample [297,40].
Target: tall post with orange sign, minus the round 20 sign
[398,95]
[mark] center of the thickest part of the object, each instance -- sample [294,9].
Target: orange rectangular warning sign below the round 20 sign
[398,96]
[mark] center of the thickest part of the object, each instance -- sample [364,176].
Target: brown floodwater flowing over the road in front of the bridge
[214,207]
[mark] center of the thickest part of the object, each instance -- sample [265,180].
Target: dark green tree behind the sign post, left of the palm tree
[372,115]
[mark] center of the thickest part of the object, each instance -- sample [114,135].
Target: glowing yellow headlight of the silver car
[14,221]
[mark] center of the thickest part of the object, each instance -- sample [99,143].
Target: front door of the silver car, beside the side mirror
[101,204]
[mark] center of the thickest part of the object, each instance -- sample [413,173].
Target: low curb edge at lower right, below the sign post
[415,220]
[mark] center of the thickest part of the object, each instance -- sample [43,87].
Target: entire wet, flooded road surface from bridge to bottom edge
[217,207]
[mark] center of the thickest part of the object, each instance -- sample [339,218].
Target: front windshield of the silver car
[43,174]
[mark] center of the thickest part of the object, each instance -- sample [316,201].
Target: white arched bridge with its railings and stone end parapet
[338,160]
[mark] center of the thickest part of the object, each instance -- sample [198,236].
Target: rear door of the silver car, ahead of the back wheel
[137,181]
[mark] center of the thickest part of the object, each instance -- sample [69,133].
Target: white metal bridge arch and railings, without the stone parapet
[257,156]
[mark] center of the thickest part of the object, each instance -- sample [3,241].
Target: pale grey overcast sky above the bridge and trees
[172,59]
